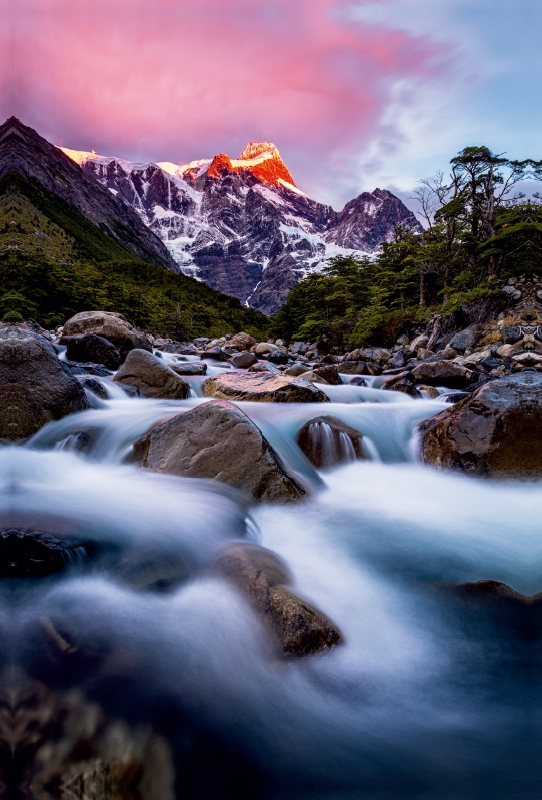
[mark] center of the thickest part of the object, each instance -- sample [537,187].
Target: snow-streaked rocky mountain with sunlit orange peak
[242,225]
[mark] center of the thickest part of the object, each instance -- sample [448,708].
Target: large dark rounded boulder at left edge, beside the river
[35,386]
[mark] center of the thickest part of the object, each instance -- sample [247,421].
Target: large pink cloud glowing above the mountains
[182,79]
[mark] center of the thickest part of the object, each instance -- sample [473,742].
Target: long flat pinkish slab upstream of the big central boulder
[264,387]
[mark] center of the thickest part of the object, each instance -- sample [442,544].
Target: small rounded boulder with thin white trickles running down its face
[328,441]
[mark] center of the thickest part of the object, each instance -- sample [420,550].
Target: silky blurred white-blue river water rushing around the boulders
[429,695]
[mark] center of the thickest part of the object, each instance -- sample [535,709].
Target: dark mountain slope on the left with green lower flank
[67,244]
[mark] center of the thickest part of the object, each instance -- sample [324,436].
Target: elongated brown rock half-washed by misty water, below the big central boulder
[299,628]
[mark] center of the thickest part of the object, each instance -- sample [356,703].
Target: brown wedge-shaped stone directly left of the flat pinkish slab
[152,377]
